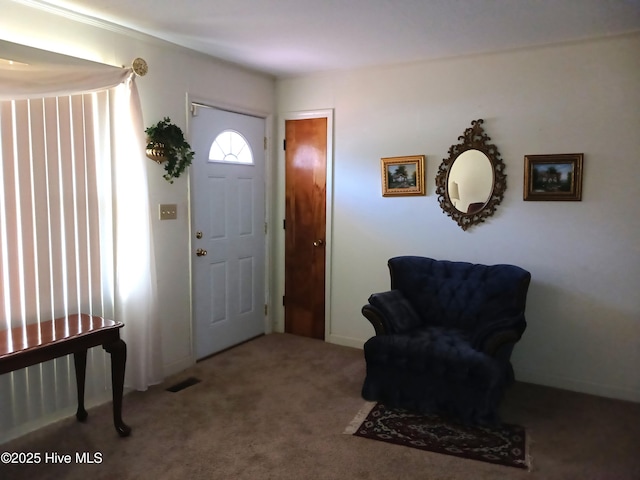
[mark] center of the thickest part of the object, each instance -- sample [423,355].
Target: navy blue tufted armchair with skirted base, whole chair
[444,336]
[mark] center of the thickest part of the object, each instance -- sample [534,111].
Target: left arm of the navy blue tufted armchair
[390,312]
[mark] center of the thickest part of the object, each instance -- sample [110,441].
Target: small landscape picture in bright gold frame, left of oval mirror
[403,176]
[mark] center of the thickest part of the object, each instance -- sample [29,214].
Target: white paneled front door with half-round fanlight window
[228,218]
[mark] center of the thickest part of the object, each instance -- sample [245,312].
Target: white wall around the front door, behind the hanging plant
[174,73]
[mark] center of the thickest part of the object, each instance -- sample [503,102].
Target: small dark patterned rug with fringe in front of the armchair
[503,445]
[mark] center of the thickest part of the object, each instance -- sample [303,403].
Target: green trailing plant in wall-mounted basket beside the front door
[166,143]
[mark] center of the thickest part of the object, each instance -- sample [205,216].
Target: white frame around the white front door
[269,195]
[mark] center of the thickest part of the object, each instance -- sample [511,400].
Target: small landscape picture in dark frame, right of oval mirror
[553,177]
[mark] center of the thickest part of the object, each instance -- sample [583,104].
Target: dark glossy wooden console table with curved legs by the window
[37,343]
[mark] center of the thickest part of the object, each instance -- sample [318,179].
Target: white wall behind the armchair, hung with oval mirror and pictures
[583,305]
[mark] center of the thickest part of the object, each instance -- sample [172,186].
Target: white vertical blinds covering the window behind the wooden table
[56,240]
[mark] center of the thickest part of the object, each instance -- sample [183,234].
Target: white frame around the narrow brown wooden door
[280,215]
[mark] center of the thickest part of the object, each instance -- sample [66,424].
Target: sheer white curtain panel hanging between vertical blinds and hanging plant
[136,299]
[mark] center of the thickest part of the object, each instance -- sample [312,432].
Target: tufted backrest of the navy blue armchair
[460,295]
